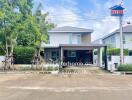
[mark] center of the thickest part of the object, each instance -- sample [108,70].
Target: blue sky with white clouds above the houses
[90,14]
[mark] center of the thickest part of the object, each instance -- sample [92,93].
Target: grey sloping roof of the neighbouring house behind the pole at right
[126,29]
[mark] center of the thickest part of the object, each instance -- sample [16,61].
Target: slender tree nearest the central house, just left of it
[44,26]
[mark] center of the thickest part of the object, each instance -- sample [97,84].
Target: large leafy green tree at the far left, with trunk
[15,17]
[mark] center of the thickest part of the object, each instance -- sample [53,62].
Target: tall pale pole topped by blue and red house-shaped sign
[117,11]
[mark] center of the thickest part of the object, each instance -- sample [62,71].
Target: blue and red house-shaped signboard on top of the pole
[117,10]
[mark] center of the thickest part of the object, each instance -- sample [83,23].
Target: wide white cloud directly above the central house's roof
[63,16]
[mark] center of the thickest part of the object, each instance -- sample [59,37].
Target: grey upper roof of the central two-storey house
[71,29]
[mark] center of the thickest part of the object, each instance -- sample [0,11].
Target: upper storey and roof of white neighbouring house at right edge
[113,39]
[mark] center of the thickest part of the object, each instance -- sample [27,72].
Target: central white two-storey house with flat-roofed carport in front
[71,45]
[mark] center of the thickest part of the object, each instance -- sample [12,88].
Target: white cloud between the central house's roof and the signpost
[104,27]
